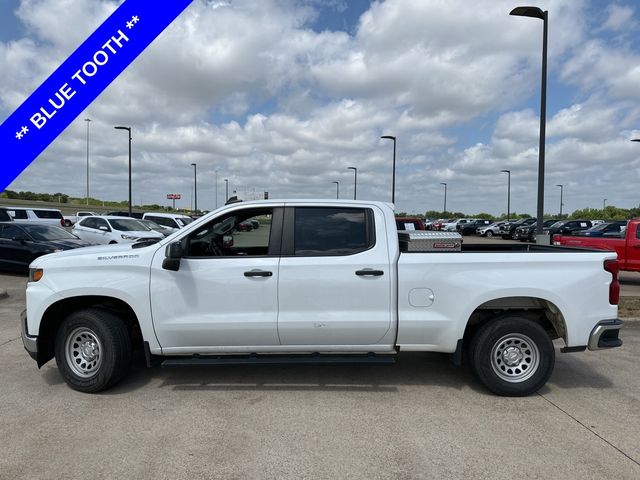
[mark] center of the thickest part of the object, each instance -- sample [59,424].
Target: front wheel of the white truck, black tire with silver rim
[98,343]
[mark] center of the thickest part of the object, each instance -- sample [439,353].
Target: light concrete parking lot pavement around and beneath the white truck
[420,418]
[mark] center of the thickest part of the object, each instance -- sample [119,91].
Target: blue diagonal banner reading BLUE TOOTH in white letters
[79,80]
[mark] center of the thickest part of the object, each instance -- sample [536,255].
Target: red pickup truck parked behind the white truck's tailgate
[626,246]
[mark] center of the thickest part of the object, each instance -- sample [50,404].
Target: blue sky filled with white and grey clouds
[283,95]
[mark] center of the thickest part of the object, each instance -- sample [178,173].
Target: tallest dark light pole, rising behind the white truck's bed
[536,12]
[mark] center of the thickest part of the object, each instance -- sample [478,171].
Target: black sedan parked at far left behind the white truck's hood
[21,243]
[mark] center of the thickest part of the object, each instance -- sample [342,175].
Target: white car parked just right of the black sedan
[103,230]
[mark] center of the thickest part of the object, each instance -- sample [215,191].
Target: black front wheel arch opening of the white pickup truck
[58,311]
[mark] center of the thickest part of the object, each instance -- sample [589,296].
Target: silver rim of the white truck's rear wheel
[515,358]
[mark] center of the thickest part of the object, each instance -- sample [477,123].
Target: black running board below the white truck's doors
[316,359]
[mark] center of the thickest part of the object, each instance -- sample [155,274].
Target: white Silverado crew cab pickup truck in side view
[319,281]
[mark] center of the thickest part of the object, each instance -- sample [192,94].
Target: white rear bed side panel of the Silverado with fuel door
[575,282]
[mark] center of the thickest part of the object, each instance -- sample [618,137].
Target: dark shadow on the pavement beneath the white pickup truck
[411,369]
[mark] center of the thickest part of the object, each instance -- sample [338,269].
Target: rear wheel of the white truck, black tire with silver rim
[512,356]
